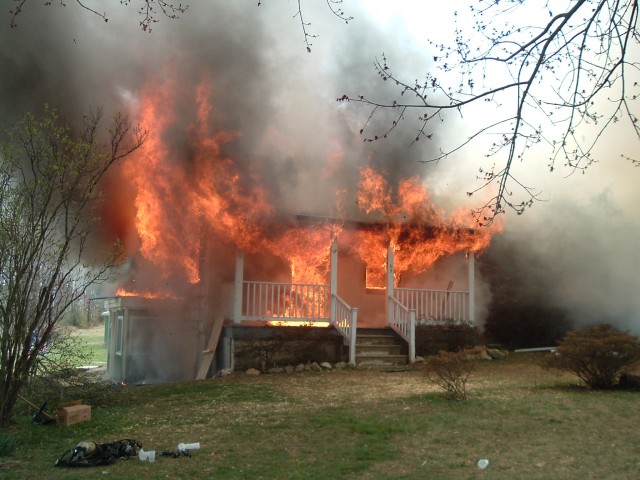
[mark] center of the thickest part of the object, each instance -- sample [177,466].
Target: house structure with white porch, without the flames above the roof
[155,338]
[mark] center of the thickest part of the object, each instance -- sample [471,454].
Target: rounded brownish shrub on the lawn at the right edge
[597,355]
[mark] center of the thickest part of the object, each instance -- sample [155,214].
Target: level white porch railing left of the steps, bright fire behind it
[272,301]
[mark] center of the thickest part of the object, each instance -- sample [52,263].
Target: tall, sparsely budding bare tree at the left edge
[49,190]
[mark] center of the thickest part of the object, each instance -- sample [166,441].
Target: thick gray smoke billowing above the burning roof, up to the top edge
[266,86]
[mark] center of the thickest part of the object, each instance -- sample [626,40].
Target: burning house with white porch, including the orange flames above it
[216,259]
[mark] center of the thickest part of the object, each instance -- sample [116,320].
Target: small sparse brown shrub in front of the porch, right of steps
[451,371]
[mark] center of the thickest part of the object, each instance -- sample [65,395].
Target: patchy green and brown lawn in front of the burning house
[357,424]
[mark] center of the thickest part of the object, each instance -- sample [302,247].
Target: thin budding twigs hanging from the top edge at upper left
[148,11]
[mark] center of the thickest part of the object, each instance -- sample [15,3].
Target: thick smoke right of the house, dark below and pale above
[571,261]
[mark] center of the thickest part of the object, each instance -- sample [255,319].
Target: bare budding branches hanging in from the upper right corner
[556,84]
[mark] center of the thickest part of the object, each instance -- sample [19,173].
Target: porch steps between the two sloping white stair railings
[379,347]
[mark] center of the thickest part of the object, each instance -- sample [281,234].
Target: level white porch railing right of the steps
[435,306]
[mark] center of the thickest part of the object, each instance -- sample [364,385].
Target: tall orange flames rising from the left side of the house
[179,203]
